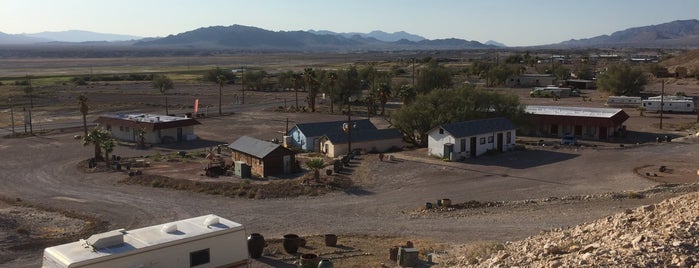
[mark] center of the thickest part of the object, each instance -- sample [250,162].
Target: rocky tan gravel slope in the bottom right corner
[660,235]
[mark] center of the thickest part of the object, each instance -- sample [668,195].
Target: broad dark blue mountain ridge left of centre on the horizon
[247,37]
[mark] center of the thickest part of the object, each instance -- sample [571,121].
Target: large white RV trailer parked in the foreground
[206,241]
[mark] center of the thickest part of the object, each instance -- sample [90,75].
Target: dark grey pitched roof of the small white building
[479,126]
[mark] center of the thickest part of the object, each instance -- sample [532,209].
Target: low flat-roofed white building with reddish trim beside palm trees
[157,128]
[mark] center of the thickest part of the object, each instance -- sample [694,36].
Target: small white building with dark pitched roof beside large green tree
[471,138]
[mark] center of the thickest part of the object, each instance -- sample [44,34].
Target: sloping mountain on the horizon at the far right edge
[680,33]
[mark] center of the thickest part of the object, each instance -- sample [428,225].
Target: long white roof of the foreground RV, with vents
[148,238]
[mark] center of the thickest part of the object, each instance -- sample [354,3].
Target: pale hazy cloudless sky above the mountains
[512,22]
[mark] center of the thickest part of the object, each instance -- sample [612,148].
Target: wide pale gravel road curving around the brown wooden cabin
[42,170]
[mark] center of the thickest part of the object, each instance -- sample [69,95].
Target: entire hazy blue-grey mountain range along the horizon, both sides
[676,34]
